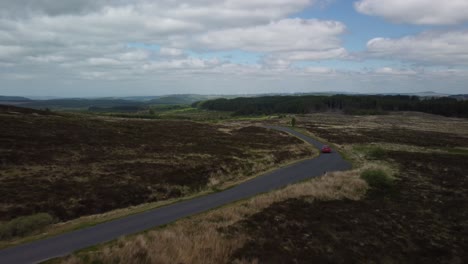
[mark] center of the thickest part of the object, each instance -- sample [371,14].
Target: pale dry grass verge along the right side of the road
[199,240]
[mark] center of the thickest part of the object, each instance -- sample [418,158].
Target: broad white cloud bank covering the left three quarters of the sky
[89,39]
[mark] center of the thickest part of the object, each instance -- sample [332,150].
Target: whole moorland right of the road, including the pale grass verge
[420,217]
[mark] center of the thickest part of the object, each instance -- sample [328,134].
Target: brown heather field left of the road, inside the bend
[71,165]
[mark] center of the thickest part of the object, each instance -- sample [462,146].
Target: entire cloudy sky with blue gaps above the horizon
[144,47]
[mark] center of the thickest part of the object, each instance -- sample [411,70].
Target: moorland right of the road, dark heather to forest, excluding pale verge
[421,219]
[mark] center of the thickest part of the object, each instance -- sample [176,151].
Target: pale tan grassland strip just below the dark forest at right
[415,129]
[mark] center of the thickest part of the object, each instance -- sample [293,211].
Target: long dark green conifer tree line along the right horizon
[349,104]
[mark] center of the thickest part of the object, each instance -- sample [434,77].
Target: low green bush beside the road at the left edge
[25,224]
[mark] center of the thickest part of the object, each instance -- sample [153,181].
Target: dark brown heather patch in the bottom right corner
[422,220]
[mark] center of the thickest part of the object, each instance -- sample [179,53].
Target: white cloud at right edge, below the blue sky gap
[432,48]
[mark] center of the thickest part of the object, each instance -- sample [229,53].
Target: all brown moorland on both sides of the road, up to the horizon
[403,201]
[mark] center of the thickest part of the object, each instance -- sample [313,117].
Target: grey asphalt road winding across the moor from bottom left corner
[64,244]
